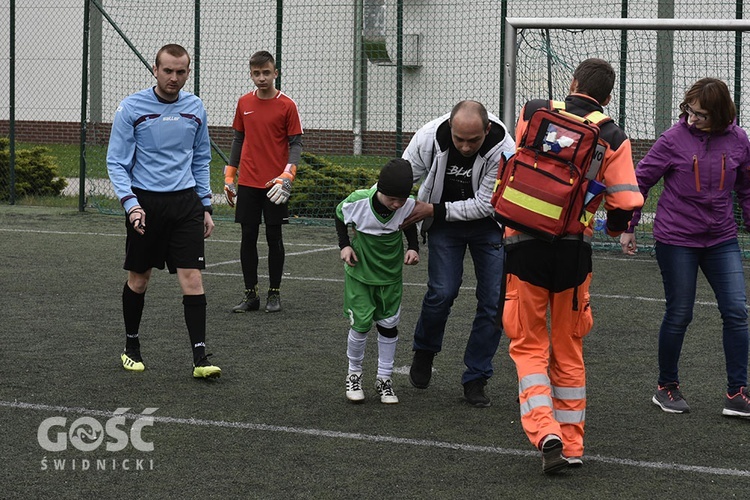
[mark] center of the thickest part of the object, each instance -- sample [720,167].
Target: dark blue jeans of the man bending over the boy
[447,243]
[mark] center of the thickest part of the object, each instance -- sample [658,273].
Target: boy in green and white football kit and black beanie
[373,280]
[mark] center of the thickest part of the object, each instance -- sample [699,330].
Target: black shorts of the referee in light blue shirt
[174,233]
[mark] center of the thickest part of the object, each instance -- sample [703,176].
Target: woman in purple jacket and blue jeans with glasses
[702,158]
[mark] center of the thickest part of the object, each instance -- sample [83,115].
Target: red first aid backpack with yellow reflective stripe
[541,189]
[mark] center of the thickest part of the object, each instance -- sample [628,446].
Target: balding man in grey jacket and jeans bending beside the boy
[455,157]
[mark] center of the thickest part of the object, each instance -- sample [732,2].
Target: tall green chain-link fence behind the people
[365,73]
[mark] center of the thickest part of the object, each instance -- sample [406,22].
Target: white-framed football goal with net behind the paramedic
[657,60]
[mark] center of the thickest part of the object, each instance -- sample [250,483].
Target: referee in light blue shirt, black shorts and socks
[158,162]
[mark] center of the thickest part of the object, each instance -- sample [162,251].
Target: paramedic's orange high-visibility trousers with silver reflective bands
[551,373]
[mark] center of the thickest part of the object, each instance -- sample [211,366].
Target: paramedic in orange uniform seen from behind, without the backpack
[542,275]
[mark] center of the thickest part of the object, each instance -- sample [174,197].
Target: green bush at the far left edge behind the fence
[36,172]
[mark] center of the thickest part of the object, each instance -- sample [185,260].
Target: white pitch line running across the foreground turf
[716,471]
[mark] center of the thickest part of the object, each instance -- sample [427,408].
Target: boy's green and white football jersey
[378,242]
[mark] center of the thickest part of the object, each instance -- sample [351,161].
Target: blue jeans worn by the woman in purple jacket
[722,266]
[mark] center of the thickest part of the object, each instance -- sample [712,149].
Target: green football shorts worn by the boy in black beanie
[365,303]
